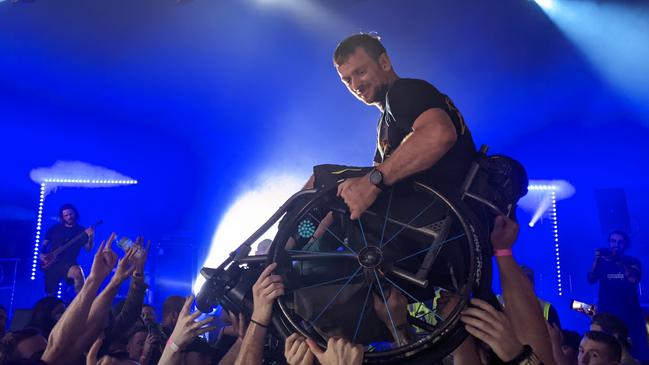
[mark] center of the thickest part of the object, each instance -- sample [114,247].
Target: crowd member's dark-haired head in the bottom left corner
[25,344]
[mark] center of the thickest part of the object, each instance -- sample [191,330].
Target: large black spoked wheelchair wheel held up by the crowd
[395,280]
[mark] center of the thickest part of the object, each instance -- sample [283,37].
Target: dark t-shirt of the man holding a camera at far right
[617,295]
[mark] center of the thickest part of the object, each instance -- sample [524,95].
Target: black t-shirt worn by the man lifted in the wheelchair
[406,100]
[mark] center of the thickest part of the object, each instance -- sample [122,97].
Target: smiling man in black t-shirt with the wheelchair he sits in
[388,256]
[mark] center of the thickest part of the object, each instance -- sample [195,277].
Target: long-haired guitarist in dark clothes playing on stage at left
[65,265]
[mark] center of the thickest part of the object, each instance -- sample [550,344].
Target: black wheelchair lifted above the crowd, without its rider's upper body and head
[343,276]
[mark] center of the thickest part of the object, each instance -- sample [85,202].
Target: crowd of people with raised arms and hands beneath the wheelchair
[93,330]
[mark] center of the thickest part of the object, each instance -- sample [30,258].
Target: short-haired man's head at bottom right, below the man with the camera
[599,348]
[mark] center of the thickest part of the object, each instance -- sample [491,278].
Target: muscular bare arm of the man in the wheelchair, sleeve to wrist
[433,134]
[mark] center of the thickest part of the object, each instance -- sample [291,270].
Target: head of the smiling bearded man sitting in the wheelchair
[364,67]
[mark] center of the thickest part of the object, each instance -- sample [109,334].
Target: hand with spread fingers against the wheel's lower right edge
[485,323]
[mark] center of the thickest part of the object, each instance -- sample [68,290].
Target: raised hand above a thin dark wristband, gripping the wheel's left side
[267,288]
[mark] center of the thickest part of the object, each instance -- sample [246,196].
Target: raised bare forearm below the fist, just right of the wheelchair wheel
[523,309]
